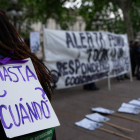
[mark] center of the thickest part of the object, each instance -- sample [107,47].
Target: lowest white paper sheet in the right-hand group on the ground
[128,110]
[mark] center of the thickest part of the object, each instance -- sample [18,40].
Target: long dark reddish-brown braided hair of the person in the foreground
[10,40]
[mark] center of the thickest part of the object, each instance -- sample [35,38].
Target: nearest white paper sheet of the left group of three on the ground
[88,124]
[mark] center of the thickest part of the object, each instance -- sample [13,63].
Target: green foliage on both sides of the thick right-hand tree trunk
[106,8]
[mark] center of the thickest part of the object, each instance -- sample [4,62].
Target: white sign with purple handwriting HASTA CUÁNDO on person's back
[24,106]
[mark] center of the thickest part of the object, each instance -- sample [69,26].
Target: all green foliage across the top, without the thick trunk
[41,10]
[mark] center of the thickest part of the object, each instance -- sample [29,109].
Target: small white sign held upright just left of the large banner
[34,41]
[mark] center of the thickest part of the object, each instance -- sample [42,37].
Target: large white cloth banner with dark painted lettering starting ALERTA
[77,58]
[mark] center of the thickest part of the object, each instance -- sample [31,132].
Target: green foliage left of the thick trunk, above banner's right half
[105,9]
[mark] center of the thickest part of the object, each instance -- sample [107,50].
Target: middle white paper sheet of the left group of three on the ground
[97,117]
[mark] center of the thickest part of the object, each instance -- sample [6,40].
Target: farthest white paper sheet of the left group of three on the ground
[103,110]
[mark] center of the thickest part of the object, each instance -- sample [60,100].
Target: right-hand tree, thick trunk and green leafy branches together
[127,24]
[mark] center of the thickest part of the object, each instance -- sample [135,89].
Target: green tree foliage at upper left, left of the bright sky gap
[41,11]
